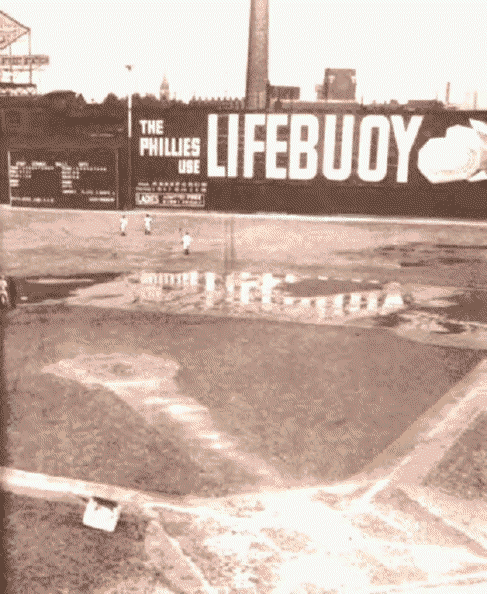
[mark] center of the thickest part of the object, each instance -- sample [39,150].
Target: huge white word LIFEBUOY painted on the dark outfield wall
[368,137]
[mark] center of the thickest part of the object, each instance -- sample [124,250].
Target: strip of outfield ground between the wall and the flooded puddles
[47,242]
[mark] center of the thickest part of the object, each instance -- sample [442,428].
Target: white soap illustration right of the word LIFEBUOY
[460,156]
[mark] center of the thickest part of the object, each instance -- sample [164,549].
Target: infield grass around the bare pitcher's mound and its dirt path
[318,403]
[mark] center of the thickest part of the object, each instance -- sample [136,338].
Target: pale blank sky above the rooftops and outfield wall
[400,50]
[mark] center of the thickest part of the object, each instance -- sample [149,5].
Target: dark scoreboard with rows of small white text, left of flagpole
[63,178]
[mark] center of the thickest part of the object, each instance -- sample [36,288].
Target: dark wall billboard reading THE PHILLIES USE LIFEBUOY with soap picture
[185,158]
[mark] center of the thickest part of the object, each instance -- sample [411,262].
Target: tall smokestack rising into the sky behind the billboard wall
[258,56]
